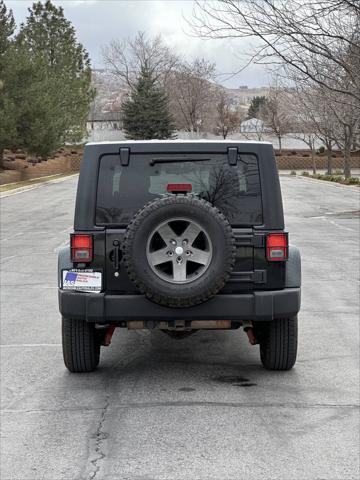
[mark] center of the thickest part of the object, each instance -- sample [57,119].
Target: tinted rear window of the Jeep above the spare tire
[123,190]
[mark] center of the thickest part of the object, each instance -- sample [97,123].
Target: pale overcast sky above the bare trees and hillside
[99,21]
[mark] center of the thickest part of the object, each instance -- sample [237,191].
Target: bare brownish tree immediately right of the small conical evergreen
[191,94]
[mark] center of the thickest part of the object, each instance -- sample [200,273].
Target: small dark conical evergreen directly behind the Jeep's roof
[146,114]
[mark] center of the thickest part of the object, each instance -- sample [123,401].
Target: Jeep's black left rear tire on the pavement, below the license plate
[81,345]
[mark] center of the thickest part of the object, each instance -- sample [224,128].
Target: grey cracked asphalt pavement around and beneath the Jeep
[200,408]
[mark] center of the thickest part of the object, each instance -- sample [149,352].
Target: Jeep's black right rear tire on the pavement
[278,343]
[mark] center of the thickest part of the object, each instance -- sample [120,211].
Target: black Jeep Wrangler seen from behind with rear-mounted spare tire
[179,236]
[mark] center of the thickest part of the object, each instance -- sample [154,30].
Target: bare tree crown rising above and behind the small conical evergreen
[126,58]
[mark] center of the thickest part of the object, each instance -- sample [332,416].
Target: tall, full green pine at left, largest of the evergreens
[58,95]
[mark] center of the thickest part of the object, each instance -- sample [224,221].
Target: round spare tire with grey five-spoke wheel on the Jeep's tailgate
[179,250]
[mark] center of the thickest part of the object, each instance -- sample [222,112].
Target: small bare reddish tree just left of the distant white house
[227,118]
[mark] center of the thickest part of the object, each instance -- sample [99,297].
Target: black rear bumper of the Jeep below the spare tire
[101,308]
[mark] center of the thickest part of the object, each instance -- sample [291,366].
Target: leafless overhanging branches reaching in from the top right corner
[320,40]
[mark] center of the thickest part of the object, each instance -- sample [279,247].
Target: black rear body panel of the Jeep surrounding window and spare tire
[252,271]
